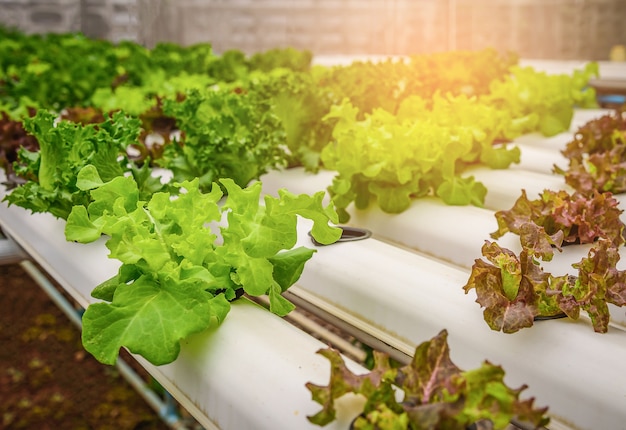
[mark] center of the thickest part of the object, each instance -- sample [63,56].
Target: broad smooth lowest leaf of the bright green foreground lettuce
[137,310]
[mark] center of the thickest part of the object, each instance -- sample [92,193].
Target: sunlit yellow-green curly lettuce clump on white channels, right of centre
[421,151]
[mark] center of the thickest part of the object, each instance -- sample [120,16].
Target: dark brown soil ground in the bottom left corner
[47,379]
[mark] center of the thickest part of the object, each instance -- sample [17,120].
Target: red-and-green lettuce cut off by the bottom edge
[435,393]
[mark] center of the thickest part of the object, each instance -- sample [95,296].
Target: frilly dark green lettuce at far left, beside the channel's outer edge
[65,148]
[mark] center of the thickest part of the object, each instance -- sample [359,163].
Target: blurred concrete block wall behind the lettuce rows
[541,29]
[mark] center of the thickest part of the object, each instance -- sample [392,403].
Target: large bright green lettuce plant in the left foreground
[173,259]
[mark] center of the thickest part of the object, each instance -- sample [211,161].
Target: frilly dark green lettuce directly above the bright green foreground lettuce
[225,134]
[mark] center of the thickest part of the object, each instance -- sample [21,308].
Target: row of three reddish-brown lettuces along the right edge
[513,288]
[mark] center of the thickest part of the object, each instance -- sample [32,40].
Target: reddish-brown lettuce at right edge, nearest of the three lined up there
[539,294]
